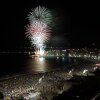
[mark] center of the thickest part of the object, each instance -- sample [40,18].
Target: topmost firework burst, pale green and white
[40,14]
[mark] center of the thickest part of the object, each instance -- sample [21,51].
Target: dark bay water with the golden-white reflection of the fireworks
[14,63]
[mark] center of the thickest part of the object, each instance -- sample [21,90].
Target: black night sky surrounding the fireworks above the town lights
[77,24]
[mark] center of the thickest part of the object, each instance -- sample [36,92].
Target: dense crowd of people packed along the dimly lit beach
[48,82]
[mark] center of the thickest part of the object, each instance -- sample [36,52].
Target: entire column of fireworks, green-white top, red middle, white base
[38,30]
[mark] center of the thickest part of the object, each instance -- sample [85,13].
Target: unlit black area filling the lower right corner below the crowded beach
[84,88]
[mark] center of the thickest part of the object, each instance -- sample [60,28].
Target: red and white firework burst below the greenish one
[38,31]
